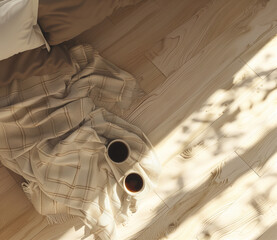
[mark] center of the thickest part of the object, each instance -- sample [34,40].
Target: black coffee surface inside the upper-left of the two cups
[118,152]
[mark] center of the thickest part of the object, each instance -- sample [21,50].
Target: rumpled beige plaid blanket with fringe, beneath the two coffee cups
[54,130]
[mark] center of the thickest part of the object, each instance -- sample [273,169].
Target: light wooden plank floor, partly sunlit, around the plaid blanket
[209,70]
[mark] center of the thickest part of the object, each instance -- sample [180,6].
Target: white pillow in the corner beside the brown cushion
[19,30]
